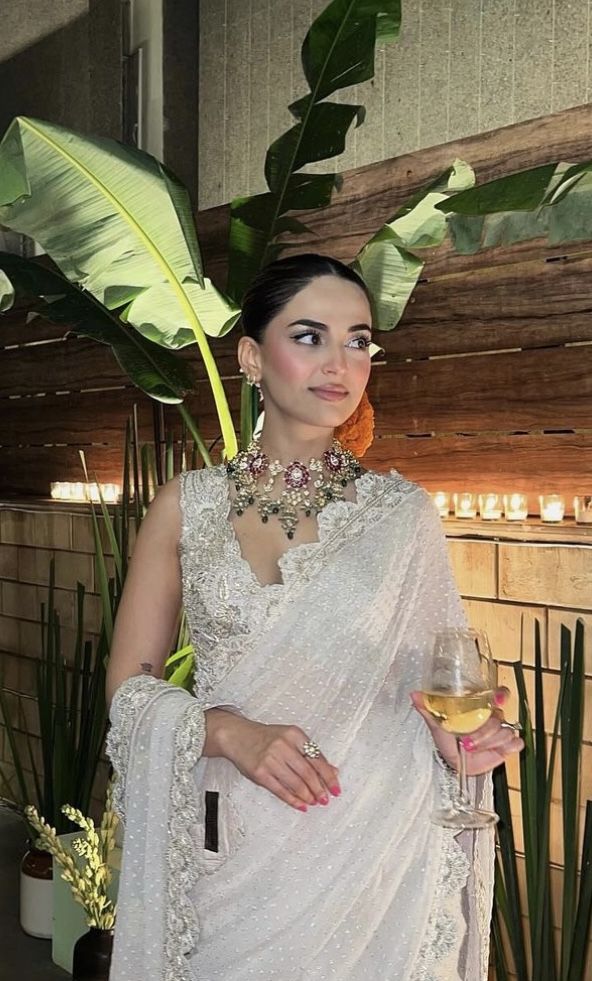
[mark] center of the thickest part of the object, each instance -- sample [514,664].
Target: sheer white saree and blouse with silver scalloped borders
[366,888]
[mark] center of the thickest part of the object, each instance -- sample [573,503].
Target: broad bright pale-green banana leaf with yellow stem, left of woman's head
[118,224]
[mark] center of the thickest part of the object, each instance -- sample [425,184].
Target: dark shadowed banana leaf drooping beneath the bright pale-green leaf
[156,371]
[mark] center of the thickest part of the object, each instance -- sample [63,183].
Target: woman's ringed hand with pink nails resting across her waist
[271,757]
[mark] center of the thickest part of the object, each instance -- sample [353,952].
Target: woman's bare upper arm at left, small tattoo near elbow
[151,600]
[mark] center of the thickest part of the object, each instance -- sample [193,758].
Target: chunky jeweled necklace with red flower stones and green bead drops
[308,488]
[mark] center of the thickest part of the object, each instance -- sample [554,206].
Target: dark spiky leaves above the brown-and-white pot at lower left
[71,716]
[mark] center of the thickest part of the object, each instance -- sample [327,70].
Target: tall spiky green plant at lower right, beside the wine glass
[528,948]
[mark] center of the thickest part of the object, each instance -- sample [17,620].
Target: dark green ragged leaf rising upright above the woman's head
[338,51]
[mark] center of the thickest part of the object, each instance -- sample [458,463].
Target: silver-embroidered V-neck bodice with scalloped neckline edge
[225,604]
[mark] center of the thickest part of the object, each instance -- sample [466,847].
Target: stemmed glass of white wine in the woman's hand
[458,681]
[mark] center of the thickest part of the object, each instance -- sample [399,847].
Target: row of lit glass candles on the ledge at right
[512,507]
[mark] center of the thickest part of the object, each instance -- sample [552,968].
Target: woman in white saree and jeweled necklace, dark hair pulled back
[310,608]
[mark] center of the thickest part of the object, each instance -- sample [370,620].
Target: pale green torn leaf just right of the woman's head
[386,264]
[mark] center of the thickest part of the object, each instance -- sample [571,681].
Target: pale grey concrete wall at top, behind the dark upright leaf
[461,67]
